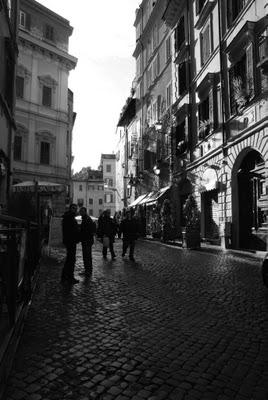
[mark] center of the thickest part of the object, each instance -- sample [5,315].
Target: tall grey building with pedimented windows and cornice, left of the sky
[44,105]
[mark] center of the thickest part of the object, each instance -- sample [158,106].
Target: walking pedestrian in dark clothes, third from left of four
[106,232]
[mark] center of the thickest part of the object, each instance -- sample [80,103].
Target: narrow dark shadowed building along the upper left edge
[8,58]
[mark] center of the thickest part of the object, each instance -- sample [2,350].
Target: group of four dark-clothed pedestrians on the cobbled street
[126,226]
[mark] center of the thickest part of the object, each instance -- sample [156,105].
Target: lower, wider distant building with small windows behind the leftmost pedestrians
[89,192]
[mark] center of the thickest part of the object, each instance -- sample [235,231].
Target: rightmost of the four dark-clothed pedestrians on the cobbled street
[129,227]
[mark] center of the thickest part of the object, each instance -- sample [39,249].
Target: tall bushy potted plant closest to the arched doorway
[192,218]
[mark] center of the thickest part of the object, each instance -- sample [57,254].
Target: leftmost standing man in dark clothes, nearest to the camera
[70,235]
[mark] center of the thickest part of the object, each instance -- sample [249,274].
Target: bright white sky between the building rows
[103,40]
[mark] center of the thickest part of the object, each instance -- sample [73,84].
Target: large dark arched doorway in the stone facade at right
[249,199]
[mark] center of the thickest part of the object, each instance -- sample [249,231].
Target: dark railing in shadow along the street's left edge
[19,256]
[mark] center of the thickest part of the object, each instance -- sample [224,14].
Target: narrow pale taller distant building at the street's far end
[108,168]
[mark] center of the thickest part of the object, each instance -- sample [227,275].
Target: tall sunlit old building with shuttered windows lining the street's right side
[214,121]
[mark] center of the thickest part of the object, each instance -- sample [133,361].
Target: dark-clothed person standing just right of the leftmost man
[87,232]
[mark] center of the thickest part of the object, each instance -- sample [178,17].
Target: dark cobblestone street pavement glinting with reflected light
[177,324]
